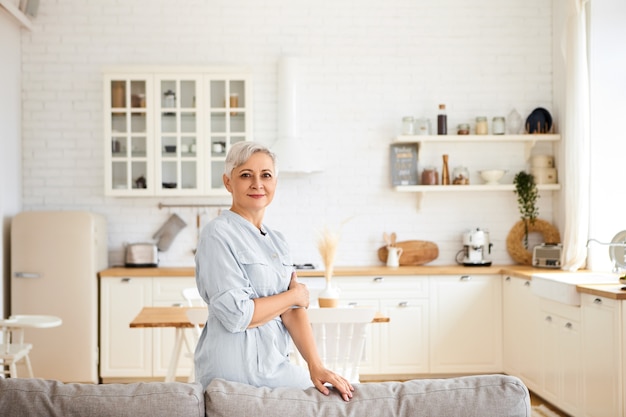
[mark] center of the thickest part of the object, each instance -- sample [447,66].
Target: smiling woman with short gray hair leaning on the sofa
[244,272]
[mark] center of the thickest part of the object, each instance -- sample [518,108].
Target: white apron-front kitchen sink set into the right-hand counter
[561,287]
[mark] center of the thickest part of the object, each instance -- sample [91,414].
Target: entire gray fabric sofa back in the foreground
[484,396]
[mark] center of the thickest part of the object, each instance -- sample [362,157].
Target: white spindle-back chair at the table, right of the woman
[340,335]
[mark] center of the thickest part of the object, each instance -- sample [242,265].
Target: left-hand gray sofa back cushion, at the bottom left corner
[38,397]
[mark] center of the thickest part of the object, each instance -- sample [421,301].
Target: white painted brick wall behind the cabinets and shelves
[365,64]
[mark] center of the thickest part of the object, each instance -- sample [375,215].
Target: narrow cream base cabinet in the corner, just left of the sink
[522,355]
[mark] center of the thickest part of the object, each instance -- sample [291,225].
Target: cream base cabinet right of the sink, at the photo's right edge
[601,356]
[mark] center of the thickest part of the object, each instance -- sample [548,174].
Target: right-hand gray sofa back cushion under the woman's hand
[480,396]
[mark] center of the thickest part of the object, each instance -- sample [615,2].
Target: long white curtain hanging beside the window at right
[576,137]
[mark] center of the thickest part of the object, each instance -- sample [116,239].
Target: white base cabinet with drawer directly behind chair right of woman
[400,346]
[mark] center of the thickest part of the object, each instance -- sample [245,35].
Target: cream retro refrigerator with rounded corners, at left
[55,260]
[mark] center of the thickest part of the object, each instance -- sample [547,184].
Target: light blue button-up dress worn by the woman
[235,263]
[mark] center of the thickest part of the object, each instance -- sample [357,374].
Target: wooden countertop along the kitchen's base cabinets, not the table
[613,291]
